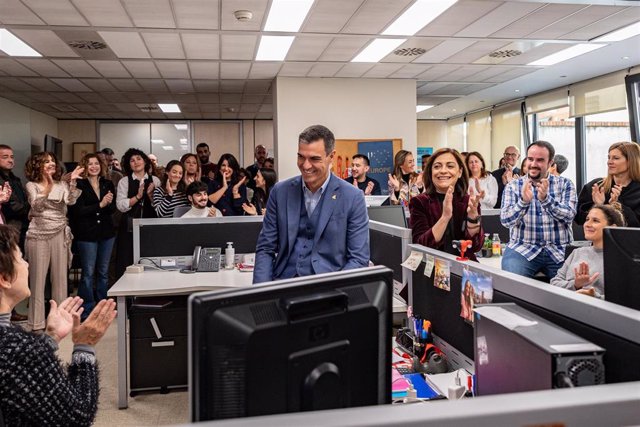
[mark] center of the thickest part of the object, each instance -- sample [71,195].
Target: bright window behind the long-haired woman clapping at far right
[602,130]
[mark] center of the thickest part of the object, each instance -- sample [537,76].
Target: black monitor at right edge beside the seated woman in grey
[622,266]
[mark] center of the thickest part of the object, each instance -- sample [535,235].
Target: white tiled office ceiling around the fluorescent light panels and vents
[195,53]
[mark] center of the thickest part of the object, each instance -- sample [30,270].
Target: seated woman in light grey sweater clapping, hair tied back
[583,270]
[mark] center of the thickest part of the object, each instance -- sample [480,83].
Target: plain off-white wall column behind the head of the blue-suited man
[351,108]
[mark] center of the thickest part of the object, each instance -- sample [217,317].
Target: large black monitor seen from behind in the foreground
[310,343]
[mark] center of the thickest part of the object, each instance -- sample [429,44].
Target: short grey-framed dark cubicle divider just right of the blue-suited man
[388,247]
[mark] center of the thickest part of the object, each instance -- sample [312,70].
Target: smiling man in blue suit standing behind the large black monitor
[316,222]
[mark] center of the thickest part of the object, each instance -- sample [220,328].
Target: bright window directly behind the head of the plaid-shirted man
[556,127]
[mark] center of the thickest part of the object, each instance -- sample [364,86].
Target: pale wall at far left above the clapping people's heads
[20,127]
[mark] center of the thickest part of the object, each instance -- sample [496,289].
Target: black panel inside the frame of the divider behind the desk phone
[160,240]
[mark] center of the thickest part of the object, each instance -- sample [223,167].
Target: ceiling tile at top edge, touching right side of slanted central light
[458,17]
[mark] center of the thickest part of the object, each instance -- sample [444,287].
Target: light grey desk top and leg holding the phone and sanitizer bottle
[162,283]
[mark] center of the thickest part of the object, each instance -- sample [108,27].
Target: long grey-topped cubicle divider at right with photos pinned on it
[611,326]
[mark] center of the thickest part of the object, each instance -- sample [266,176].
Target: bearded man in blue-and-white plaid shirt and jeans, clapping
[538,209]
